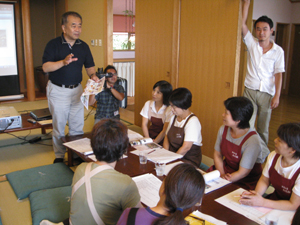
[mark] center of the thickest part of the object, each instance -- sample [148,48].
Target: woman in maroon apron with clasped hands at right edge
[282,170]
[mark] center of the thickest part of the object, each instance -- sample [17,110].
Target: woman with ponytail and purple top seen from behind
[180,191]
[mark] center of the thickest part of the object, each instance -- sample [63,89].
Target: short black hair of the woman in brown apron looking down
[181,98]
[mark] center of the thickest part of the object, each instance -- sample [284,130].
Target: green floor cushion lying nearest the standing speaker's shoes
[26,181]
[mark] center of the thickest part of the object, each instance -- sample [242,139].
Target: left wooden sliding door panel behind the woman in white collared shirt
[153,54]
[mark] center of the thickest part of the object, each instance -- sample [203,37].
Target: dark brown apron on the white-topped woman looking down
[176,139]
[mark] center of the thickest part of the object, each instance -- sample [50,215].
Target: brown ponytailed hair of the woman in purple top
[183,188]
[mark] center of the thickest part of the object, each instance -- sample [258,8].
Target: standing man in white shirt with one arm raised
[265,65]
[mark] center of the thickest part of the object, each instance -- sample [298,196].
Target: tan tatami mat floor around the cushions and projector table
[17,155]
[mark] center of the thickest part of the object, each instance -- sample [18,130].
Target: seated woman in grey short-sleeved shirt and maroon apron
[238,151]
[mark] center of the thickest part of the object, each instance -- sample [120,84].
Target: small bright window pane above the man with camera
[123,41]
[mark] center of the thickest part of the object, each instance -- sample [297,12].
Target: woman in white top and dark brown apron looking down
[184,130]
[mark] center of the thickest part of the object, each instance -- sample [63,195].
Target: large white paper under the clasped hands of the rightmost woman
[257,214]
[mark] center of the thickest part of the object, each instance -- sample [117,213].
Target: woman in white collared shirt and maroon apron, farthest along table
[158,112]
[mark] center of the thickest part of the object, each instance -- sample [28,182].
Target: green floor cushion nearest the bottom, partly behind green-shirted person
[50,204]
